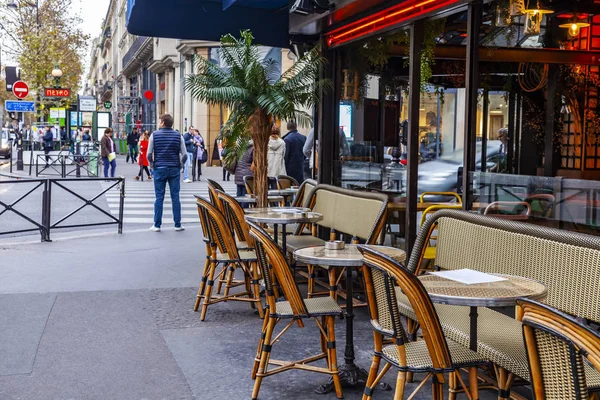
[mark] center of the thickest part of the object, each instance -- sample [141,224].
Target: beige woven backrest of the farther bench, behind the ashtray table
[358,214]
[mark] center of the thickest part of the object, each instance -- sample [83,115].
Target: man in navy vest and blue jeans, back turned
[166,153]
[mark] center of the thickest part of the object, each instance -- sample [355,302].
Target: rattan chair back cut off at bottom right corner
[556,346]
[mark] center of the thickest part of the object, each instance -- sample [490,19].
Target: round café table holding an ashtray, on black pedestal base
[350,374]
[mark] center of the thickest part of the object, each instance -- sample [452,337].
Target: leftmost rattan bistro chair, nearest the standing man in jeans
[223,251]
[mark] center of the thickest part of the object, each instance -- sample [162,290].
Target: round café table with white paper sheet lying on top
[495,294]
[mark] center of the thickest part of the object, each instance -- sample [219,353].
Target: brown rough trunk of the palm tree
[261,132]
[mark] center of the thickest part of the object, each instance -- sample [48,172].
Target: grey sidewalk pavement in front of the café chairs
[109,316]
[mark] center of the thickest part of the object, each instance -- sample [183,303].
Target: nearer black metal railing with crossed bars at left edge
[44,223]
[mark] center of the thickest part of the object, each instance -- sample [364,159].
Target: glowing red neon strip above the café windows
[383,19]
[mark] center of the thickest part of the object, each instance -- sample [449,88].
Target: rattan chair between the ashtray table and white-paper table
[434,354]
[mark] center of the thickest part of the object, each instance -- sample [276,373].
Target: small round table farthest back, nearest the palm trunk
[283,217]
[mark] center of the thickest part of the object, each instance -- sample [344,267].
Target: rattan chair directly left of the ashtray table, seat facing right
[323,310]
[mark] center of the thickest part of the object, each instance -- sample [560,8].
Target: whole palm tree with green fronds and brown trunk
[258,95]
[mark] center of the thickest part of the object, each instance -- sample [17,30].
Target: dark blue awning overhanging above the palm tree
[206,19]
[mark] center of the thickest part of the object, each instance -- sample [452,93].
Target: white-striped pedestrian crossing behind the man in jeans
[139,202]
